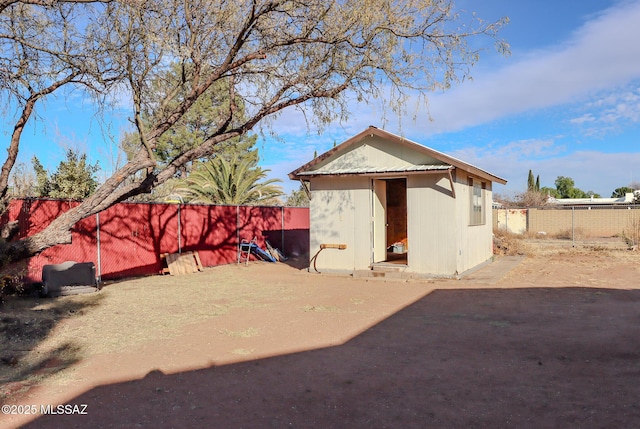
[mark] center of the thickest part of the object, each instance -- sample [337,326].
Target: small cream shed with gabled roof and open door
[381,203]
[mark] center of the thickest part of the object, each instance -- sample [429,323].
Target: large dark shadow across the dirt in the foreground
[457,358]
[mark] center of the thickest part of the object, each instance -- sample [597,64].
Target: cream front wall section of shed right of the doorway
[431,225]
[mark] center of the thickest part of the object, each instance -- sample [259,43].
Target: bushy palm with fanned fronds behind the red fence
[235,182]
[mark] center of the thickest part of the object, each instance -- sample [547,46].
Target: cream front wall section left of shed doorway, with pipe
[340,211]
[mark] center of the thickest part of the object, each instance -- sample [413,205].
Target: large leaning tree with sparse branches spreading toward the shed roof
[315,55]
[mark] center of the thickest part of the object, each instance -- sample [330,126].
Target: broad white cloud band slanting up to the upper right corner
[601,54]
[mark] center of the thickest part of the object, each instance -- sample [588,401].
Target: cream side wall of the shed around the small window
[475,242]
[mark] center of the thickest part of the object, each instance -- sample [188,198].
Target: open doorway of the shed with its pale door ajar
[390,244]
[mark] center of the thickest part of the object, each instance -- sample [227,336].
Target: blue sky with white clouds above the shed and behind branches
[566,102]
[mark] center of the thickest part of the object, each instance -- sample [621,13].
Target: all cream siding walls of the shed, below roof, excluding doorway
[440,240]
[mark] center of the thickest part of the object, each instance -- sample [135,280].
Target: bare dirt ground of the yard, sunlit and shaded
[551,343]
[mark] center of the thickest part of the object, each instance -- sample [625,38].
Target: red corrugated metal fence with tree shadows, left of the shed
[128,238]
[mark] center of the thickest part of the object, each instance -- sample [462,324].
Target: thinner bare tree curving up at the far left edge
[41,51]
